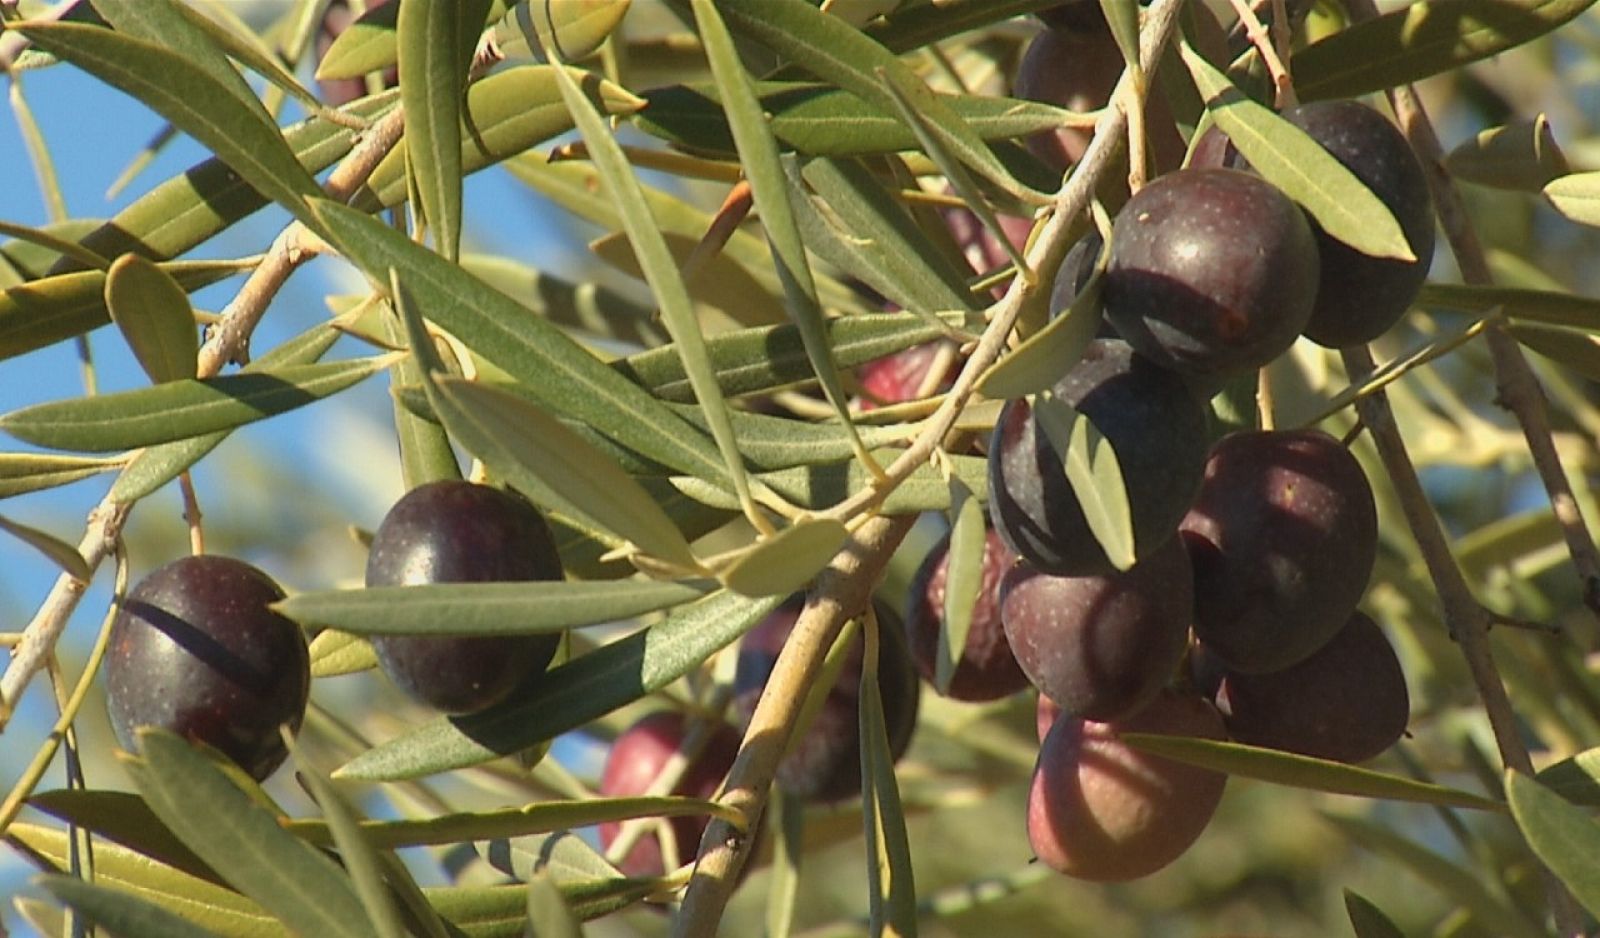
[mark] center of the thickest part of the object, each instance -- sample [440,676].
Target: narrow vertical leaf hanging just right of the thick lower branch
[892,894]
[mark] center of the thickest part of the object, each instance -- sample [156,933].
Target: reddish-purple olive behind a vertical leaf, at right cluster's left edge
[986,670]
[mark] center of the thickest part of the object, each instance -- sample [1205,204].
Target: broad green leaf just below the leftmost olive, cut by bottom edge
[242,841]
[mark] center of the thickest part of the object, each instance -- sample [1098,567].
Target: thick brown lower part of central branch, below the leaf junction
[842,590]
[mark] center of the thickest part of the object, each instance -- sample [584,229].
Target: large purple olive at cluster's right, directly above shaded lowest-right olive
[1284,537]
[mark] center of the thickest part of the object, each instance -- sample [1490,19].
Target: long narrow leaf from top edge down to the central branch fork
[770,193]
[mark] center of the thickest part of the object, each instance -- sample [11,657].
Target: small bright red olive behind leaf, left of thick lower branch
[638,758]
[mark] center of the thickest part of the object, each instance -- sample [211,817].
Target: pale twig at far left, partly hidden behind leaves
[228,342]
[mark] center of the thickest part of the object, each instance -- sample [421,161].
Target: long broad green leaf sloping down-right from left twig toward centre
[569,379]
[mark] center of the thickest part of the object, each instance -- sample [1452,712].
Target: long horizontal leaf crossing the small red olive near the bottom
[535,819]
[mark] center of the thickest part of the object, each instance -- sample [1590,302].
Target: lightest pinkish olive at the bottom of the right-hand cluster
[1105,812]
